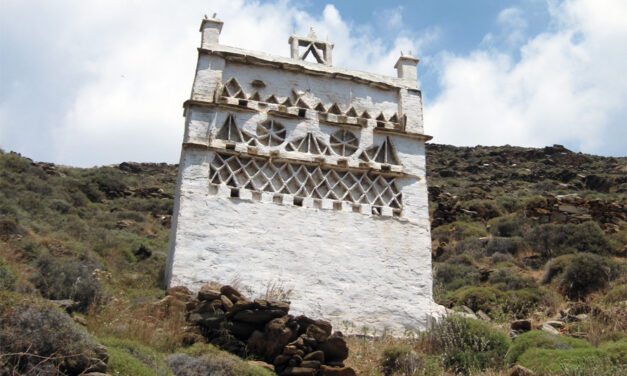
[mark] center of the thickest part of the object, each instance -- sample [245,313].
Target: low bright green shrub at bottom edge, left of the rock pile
[130,358]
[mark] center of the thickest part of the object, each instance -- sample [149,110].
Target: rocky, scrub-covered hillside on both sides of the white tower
[523,239]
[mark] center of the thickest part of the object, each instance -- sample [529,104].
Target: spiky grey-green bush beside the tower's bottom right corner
[467,345]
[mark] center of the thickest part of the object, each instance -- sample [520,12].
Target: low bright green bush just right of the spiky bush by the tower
[537,339]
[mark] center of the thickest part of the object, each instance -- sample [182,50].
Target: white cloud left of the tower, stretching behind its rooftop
[118,71]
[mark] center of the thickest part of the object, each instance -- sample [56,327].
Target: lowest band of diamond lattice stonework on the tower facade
[304,181]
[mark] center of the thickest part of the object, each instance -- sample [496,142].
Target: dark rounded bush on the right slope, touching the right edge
[586,273]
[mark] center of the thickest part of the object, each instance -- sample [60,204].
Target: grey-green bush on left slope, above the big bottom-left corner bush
[65,278]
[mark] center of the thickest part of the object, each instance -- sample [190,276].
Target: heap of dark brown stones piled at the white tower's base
[263,329]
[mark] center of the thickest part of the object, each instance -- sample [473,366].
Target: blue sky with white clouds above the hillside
[99,82]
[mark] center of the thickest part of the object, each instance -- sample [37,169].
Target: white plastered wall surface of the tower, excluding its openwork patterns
[343,266]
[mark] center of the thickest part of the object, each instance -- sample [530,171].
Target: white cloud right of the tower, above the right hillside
[567,87]
